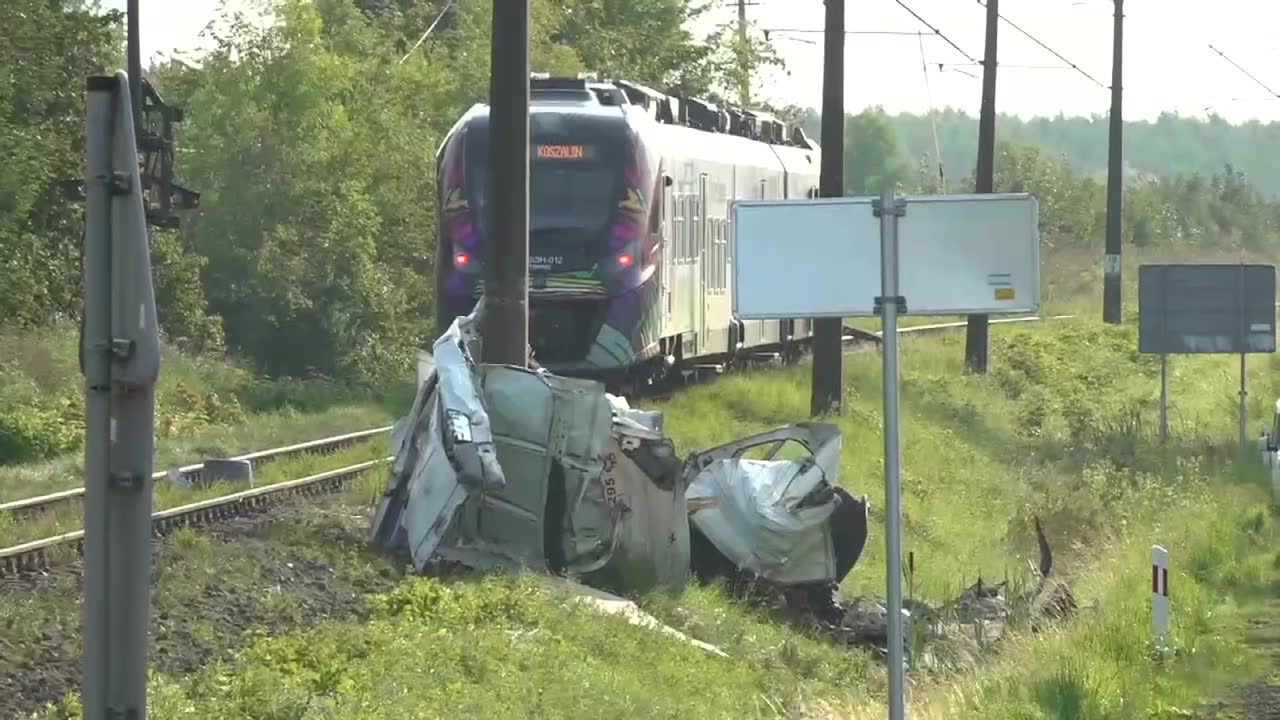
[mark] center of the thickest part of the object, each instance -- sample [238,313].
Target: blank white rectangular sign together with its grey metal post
[962,254]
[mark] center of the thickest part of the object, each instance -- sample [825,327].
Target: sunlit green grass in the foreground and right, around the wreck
[1063,427]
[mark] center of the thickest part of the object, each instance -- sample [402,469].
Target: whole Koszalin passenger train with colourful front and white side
[630,194]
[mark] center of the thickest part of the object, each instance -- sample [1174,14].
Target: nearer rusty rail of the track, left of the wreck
[36,555]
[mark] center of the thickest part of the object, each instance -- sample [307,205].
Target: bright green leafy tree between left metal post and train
[309,143]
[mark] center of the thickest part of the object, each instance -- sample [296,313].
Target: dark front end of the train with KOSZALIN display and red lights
[593,243]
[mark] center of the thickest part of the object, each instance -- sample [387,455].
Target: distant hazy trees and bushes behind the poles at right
[1206,209]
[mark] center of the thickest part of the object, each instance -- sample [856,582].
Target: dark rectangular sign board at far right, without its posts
[1206,309]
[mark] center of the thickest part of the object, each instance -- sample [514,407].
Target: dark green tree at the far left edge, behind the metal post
[47,51]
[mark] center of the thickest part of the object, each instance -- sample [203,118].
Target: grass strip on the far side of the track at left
[207,408]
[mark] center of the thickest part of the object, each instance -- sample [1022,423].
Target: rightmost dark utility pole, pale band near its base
[1113,300]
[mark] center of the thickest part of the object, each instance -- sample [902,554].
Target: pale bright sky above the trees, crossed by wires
[1169,63]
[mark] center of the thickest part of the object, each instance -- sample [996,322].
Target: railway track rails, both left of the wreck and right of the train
[35,555]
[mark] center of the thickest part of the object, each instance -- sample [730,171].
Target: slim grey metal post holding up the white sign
[890,209]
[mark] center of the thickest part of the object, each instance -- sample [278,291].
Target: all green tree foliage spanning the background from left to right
[313,142]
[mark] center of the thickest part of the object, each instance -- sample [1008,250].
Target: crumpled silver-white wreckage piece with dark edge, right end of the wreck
[772,517]
